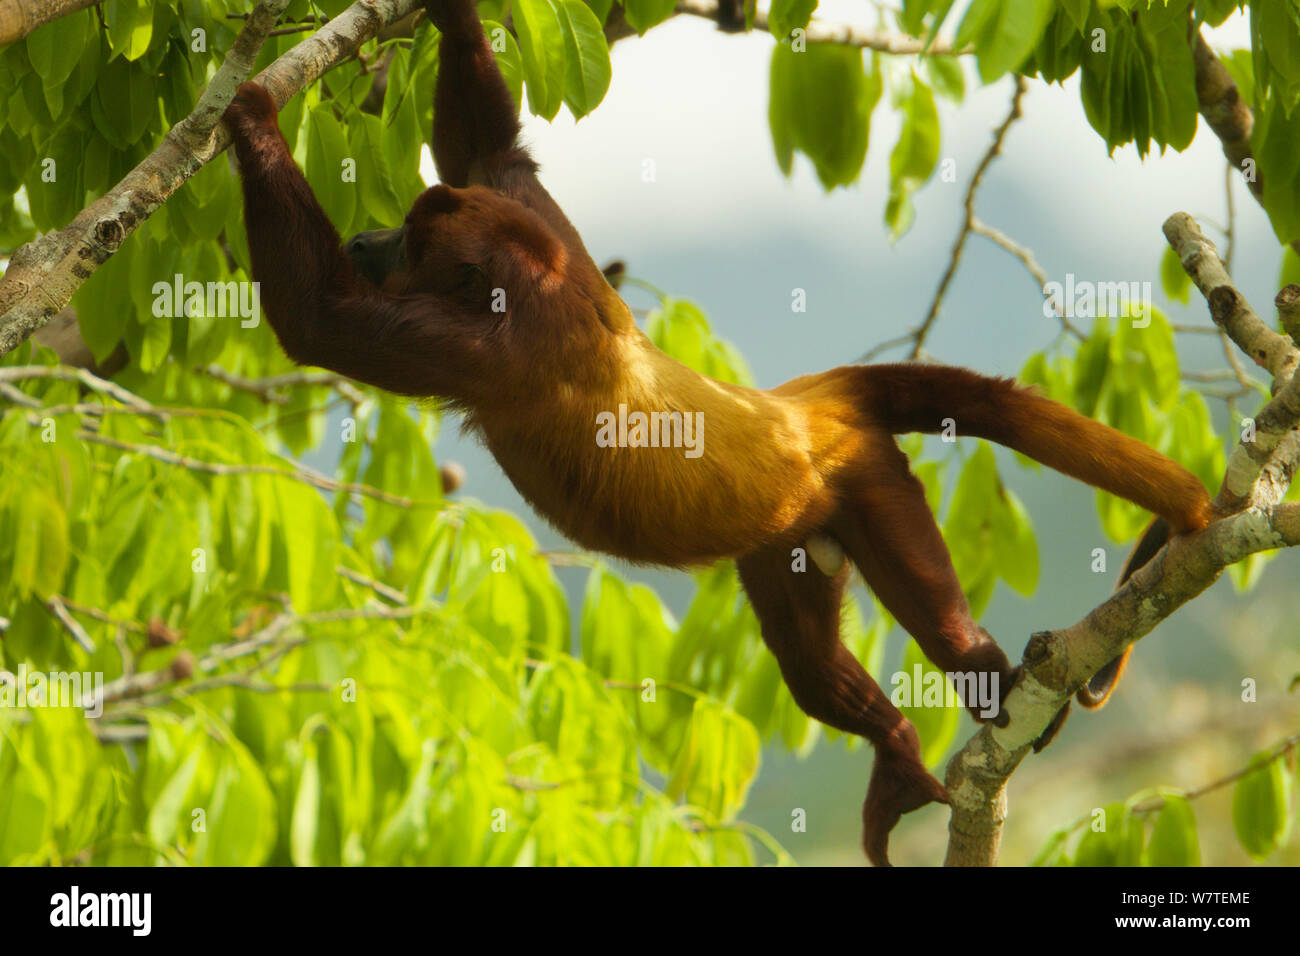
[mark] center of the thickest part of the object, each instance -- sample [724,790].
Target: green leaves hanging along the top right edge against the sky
[1138,85]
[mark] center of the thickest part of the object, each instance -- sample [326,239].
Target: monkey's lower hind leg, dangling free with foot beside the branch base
[800,618]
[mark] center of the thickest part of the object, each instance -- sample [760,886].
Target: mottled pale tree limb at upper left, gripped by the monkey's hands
[45,274]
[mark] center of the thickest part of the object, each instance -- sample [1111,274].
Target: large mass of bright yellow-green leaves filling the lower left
[462,734]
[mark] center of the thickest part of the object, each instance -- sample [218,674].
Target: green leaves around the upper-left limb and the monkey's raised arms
[96,102]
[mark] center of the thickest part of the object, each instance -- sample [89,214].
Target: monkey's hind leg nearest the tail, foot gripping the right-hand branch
[889,531]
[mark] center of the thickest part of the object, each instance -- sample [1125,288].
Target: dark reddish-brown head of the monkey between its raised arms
[473,245]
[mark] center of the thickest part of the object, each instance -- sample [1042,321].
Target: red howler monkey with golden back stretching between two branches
[411,310]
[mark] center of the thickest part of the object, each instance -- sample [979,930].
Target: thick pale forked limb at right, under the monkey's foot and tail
[1058,663]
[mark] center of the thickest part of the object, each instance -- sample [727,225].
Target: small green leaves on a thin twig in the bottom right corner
[1129,834]
